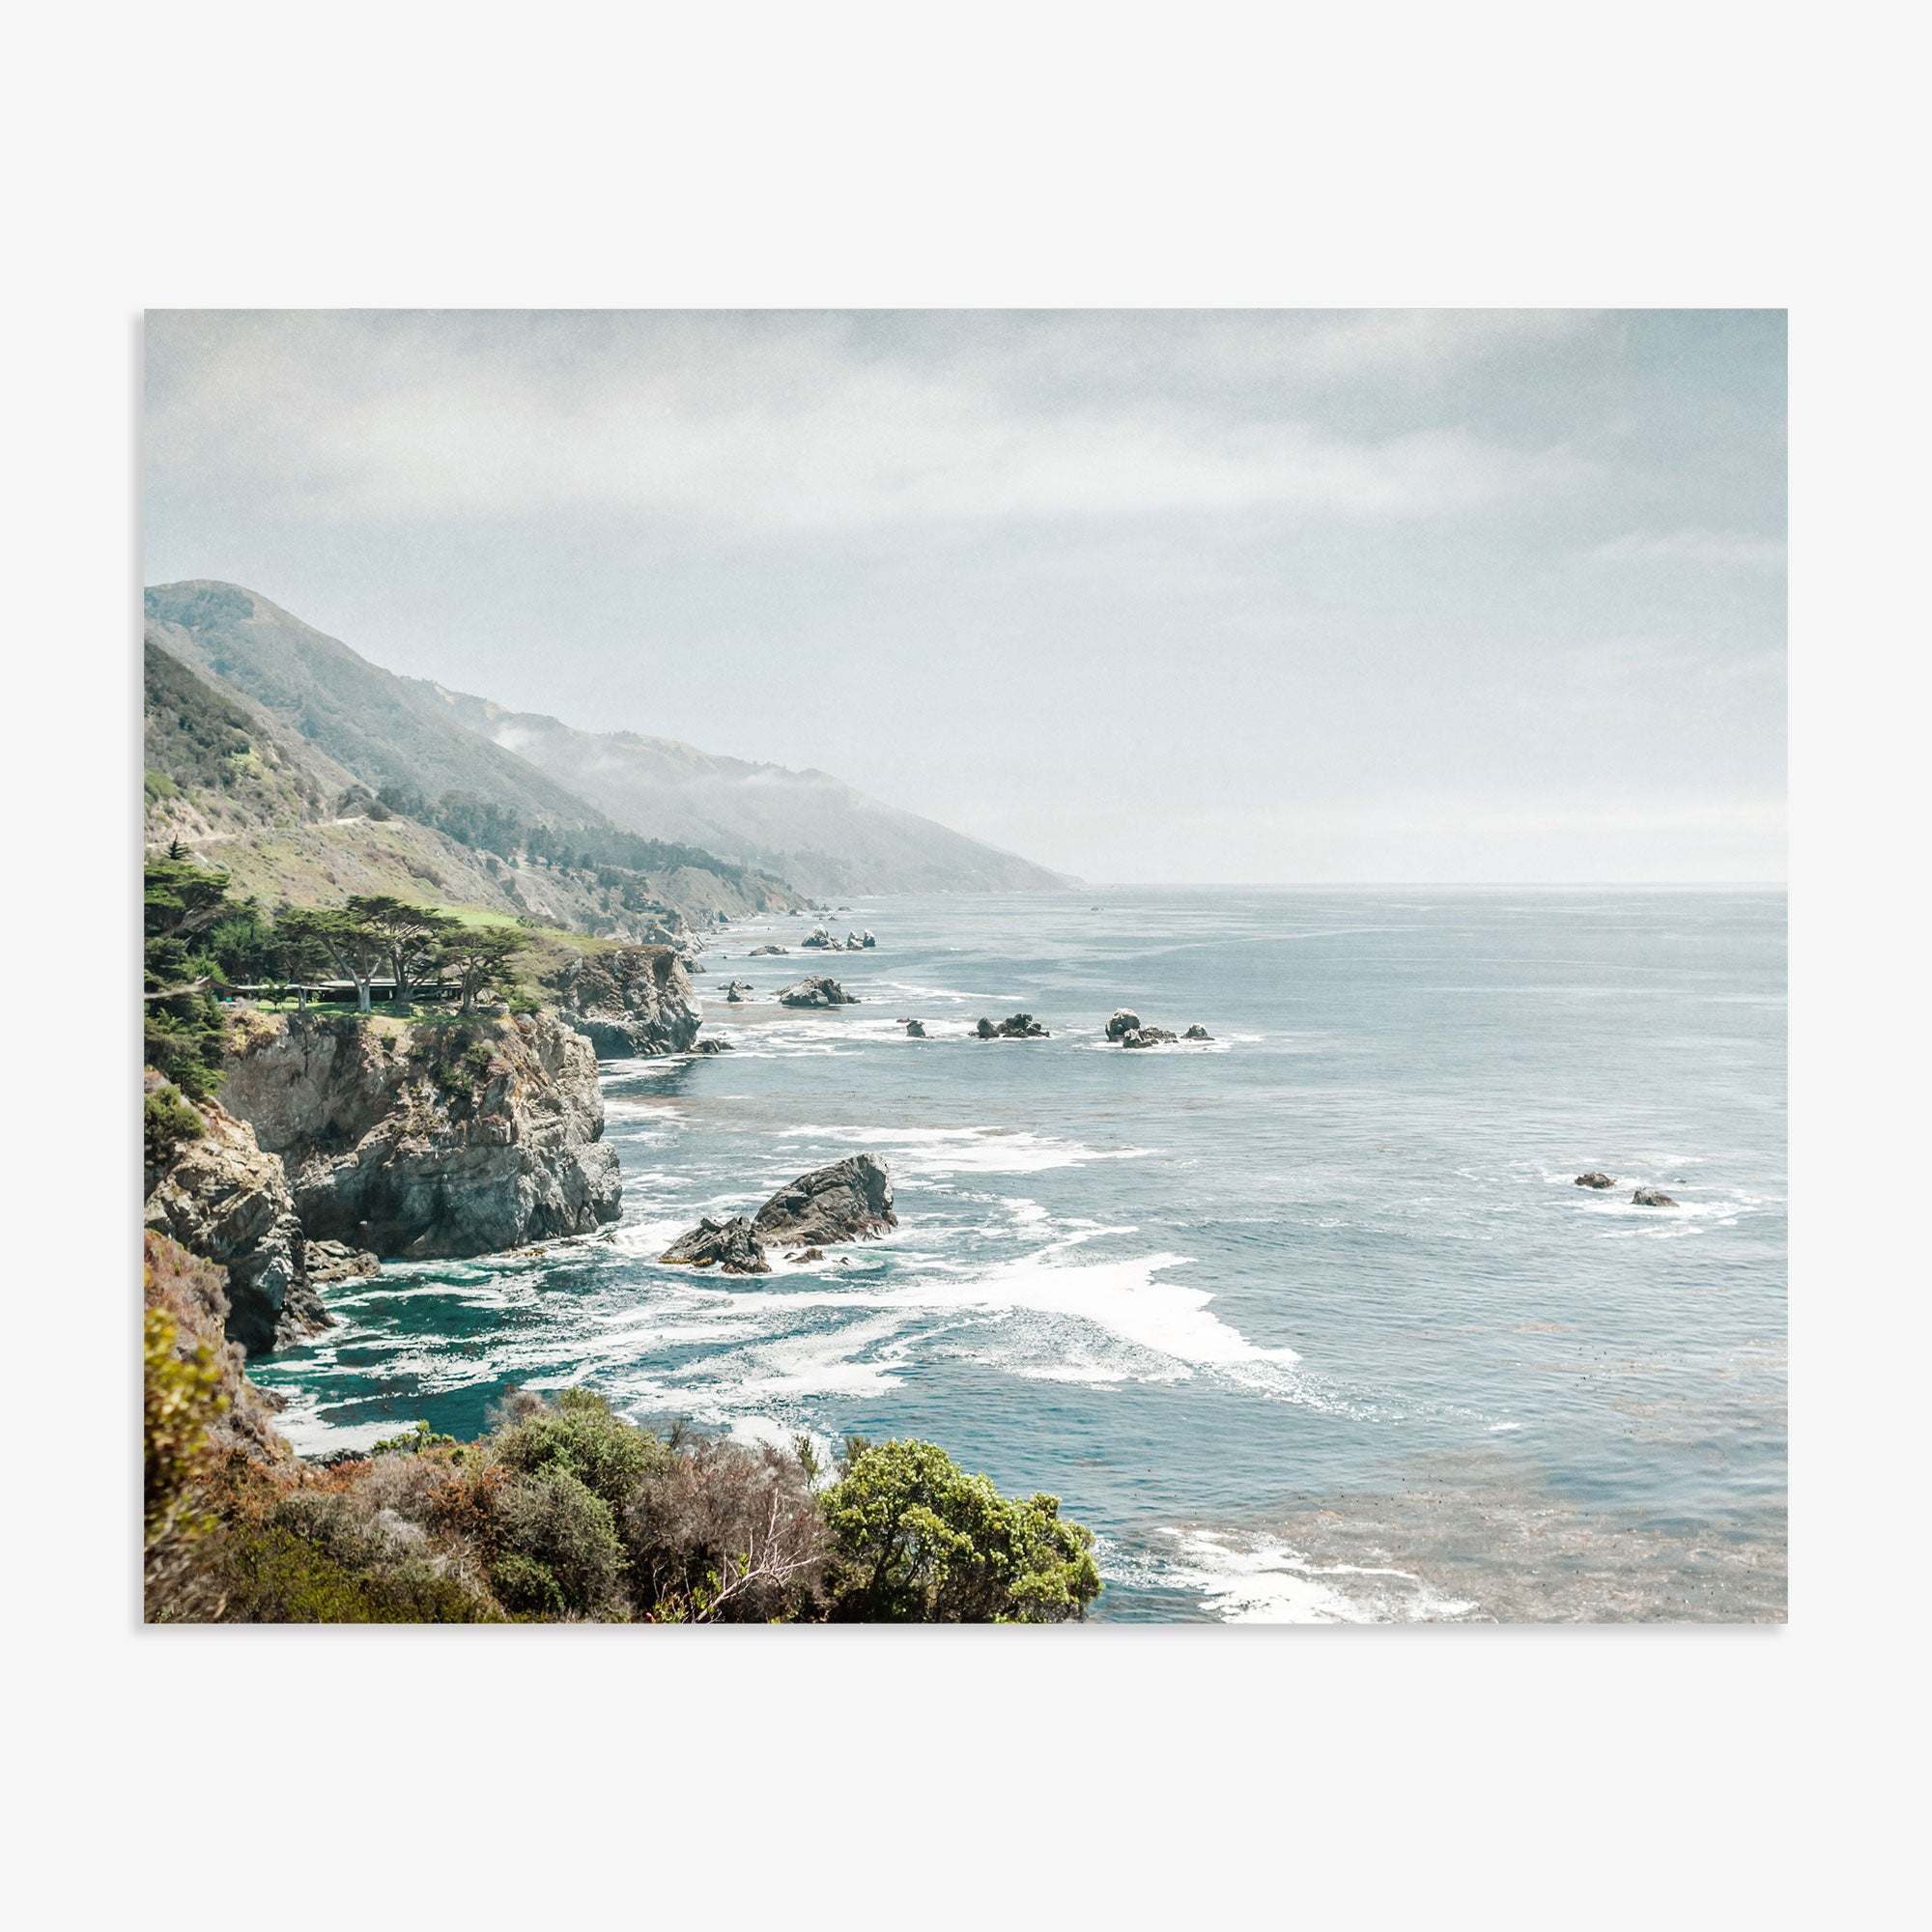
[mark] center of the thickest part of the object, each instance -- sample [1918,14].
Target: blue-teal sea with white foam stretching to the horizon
[1309,1322]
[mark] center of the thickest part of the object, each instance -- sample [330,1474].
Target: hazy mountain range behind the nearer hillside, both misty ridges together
[389,731]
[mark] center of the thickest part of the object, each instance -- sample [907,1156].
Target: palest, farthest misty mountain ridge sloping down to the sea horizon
[805,826]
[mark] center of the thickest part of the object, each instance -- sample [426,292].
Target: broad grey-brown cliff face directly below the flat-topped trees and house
[441,1139]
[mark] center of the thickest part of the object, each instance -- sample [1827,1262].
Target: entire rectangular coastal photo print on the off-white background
[965,967]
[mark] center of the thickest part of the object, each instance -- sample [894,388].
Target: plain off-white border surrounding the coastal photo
[1489,156]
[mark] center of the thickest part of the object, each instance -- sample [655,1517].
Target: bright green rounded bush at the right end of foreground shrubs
[921,1541]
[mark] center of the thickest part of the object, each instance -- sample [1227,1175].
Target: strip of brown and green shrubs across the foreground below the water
[561,1512]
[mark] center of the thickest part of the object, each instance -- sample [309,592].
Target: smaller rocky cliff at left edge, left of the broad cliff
[229,1203]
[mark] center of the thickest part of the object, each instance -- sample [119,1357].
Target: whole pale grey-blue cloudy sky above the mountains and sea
[1187,596]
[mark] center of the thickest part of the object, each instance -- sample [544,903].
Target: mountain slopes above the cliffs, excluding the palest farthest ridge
[266,743]
